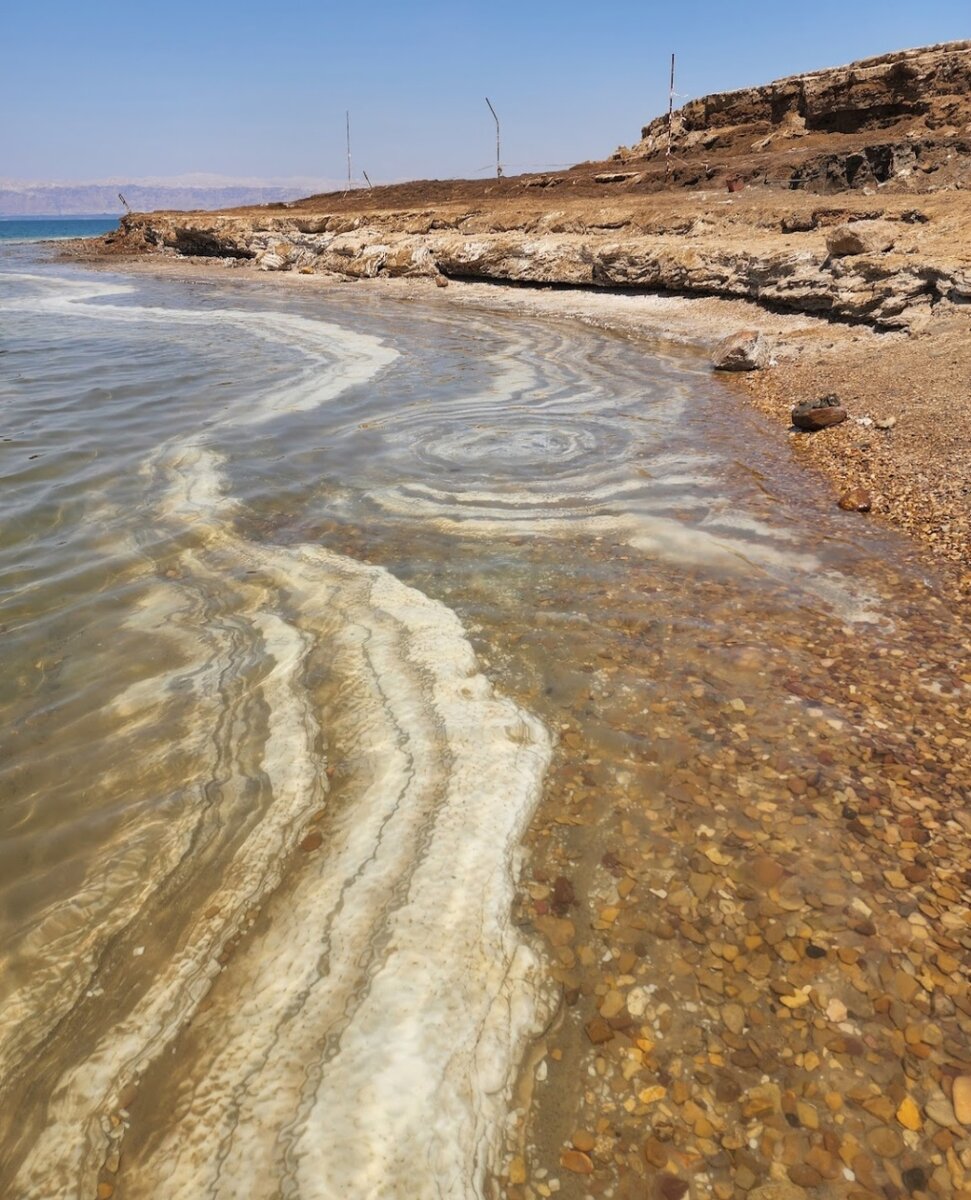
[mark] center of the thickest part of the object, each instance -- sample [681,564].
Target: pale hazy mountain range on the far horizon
[50,200]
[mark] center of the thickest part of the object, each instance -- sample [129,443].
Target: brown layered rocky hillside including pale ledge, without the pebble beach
[732,213]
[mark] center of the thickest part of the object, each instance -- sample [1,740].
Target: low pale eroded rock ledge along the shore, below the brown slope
[608,248]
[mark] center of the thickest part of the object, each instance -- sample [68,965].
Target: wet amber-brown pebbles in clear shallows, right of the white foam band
[751,874]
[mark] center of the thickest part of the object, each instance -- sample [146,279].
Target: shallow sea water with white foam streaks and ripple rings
[296,595]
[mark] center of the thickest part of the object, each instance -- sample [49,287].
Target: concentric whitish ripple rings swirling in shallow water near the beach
[550,447]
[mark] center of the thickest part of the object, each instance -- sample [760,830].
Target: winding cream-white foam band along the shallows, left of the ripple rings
[423,1047]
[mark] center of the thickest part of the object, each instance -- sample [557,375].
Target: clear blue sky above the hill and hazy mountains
[98,91]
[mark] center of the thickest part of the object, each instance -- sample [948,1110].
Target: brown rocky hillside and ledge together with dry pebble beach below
[838,197]
